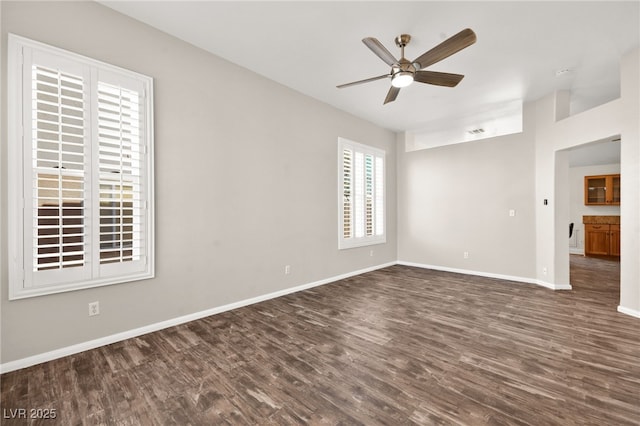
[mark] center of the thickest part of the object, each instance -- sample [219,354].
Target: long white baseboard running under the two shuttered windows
[107,340]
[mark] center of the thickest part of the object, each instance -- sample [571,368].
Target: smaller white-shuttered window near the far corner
[361,195]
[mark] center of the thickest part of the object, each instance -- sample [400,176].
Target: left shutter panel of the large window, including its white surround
[57,181]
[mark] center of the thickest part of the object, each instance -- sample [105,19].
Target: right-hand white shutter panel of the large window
[121,171]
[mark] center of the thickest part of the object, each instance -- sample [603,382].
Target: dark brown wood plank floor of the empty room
[396,346]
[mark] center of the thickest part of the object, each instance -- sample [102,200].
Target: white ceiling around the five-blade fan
[313,46]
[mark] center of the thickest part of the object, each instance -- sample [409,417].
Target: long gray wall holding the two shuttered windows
[246,181]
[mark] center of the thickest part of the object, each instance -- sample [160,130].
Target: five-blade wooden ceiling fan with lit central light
[404,72]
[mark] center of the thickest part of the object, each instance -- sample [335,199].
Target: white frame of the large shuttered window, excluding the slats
[24,280]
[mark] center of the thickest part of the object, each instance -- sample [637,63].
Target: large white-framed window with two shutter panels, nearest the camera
[80,172]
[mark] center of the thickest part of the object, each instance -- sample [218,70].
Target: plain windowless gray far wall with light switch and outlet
[457,198]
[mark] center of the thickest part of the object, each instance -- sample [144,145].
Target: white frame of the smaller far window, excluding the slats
[358,237]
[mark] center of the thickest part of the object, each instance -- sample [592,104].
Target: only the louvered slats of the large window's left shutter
[58,132]
